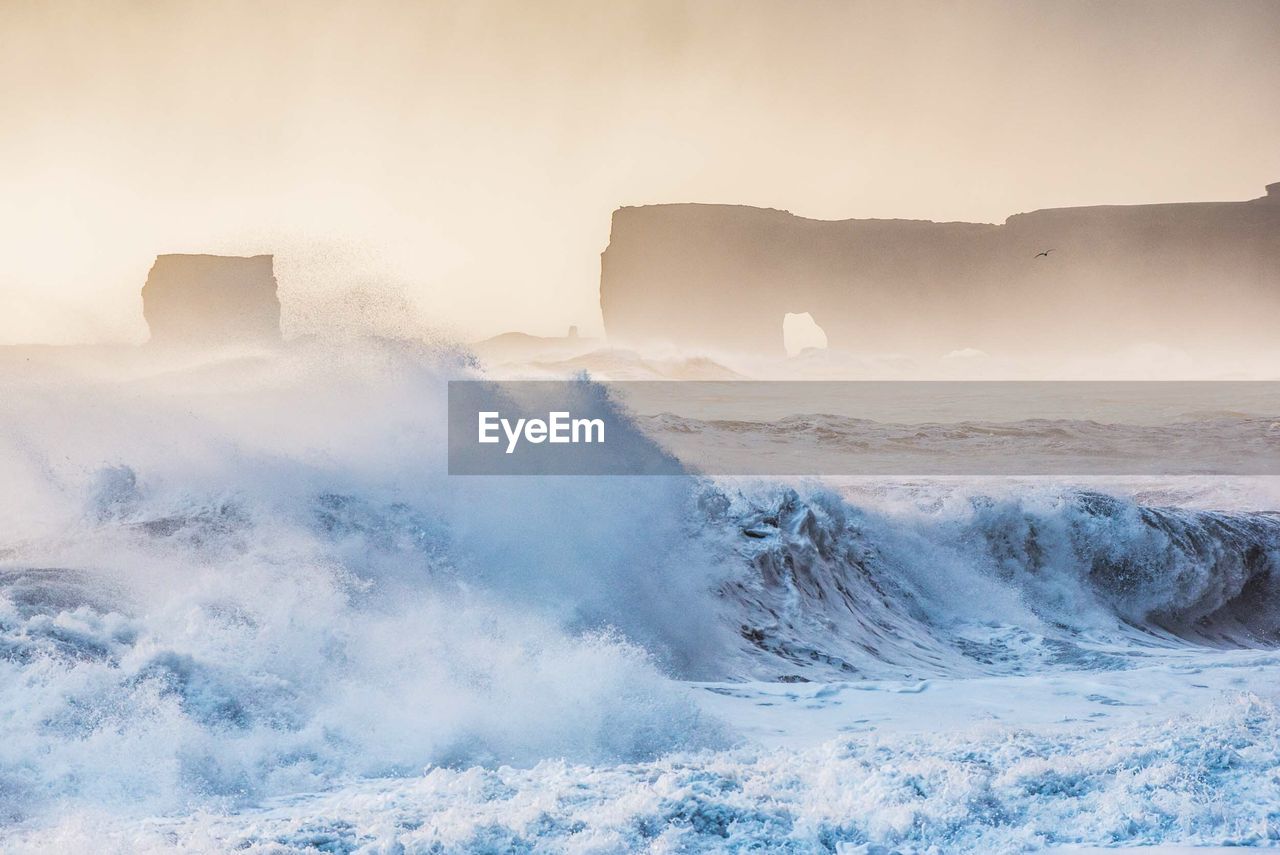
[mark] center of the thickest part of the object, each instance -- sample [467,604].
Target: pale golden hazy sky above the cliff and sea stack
[472,153]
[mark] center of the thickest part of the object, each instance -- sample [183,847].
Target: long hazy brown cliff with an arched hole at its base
[723,277]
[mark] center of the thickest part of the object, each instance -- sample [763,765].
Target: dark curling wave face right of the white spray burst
[838,588]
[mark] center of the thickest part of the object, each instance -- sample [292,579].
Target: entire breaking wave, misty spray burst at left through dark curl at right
[235,582]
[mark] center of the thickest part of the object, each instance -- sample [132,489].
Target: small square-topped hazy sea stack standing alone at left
[209,300]
